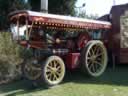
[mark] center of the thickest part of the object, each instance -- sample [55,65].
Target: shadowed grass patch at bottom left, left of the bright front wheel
[19,87]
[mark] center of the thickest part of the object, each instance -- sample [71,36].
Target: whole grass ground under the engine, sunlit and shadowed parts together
[111,83]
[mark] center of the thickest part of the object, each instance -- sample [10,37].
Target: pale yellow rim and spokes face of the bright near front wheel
[54,70]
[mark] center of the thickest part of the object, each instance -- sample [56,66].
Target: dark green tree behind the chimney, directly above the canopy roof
[65,7]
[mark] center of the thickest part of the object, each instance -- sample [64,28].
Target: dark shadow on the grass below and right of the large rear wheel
[117,77]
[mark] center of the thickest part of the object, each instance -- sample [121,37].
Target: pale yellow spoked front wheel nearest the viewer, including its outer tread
[53,71]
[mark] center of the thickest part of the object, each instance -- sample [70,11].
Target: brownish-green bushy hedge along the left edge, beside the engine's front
[10,58]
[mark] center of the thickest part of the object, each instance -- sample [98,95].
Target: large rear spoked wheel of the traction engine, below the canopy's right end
[94,58]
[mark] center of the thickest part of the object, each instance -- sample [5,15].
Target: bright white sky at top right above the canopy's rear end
[99,7]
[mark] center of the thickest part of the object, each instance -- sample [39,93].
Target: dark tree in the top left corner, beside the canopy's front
[7,6]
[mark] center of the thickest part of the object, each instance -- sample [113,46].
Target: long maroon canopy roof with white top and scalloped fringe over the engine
[60,20]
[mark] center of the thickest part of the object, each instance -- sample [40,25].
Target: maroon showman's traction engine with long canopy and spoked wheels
[60,43]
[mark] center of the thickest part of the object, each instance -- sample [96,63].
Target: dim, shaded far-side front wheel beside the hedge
[32,70]
